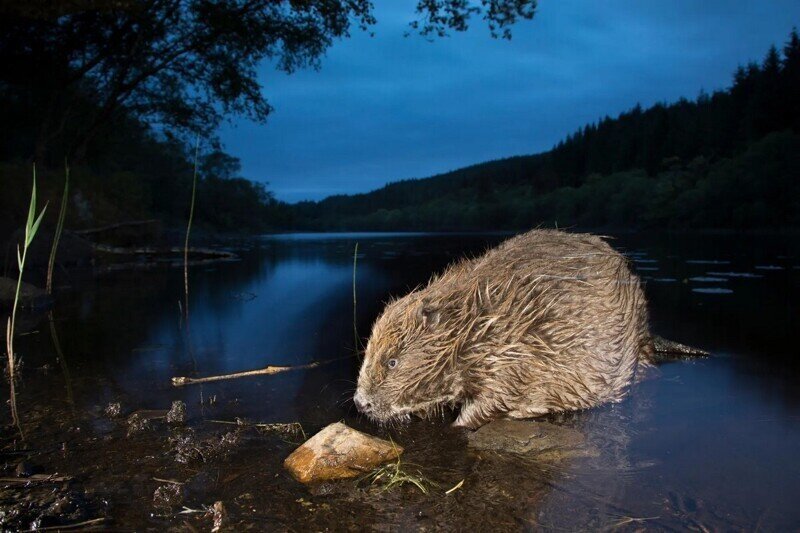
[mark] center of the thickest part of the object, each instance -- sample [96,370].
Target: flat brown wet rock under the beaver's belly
[545,440]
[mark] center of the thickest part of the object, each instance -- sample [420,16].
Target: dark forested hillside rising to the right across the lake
[730,159]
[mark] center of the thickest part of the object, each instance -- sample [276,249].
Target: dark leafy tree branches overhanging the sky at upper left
[181,65]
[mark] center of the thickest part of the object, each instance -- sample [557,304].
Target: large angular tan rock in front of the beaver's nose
[339,452]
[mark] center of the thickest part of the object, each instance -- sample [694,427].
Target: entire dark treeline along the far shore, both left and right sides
[728,160]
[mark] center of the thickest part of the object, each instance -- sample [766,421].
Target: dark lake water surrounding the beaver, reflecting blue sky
[704,444]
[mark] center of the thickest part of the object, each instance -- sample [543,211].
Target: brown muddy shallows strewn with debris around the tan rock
[114,469]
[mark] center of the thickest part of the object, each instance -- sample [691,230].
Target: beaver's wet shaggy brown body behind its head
[557,322]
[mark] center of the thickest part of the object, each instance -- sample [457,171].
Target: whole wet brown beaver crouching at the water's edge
[547,321]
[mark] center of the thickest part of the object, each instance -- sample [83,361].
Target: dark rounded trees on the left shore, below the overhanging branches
[130,173]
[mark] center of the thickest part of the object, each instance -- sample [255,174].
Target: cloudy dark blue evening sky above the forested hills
[391,107]
